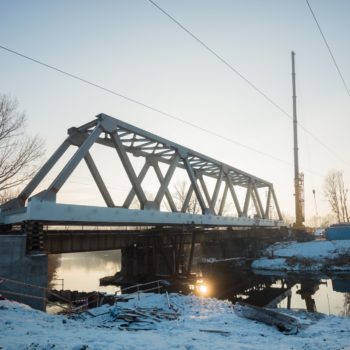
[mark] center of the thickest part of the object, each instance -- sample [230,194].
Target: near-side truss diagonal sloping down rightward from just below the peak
[129,169]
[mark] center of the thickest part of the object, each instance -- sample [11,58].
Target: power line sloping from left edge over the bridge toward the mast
[74,76]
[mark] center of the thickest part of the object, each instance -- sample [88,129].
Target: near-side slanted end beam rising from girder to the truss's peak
[62,177]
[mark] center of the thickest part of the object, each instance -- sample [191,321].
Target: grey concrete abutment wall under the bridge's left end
[28,269]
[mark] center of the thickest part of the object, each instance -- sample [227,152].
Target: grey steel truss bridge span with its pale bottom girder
[129,141]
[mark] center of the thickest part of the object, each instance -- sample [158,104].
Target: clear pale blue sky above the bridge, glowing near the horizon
[134,49]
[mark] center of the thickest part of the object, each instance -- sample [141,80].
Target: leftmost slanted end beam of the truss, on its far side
[32,185]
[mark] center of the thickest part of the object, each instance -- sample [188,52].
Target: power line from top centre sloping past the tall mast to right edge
[227,64]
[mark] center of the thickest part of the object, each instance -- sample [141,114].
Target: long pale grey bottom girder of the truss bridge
[65,214]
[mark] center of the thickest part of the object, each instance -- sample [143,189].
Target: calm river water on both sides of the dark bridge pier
[330,295]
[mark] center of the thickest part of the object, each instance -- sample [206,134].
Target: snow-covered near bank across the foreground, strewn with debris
[199,324]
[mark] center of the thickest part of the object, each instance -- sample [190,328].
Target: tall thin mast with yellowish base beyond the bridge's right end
[298,177]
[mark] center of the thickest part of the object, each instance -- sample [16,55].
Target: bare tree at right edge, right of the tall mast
[336,194]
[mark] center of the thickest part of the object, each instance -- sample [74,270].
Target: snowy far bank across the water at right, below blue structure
[307,257]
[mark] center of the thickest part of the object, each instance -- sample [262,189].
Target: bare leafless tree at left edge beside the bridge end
[19,154]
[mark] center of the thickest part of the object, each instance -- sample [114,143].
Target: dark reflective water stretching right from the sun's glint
[311,293]
